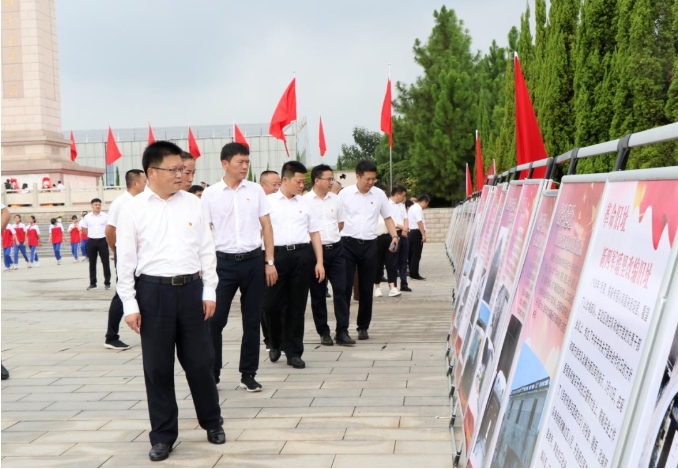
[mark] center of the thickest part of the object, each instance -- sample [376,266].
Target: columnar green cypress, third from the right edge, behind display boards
[557,77]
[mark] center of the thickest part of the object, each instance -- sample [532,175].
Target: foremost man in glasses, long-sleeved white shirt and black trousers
[167,281]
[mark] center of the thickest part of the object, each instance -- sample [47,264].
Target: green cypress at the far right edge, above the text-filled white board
[645,48]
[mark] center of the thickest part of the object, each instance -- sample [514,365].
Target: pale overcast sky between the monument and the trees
[127,62]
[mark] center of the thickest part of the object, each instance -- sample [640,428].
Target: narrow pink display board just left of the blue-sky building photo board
[495,406]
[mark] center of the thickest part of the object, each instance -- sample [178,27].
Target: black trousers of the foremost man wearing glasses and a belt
[173,317]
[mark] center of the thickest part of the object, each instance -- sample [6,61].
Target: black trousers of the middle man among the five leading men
[285,302]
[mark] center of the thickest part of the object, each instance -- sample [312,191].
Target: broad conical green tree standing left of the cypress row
[446,108]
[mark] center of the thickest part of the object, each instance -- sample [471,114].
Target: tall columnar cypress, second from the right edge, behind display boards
[593,80]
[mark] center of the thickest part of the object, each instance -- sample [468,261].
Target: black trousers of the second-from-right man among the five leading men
[335,271]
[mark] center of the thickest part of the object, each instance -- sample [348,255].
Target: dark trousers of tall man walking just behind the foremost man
[249,276]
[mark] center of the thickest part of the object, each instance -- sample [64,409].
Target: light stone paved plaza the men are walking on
[72,403]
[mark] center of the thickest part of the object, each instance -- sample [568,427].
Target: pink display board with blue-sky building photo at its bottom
[544,330]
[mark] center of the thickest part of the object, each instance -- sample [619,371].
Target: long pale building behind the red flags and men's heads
[266,152]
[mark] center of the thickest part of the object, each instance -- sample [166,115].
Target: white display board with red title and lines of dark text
[614,305]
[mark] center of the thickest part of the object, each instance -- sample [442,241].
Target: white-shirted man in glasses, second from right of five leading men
[330,212]
